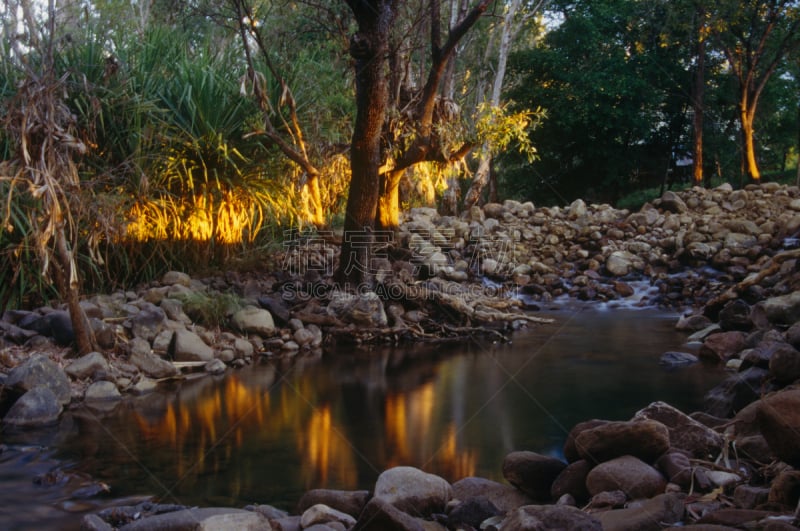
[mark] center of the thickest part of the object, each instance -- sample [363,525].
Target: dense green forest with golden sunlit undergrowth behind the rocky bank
[143,136]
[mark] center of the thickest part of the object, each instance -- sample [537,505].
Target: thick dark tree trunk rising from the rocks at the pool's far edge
[368,48]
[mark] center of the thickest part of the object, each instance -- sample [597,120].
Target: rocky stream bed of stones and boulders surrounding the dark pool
[727,259]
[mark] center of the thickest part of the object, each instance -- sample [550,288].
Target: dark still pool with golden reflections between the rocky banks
[269,432]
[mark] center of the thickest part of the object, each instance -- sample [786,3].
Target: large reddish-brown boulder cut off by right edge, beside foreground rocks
[779,421]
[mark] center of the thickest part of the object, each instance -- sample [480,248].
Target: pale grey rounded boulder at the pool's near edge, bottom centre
[413,491]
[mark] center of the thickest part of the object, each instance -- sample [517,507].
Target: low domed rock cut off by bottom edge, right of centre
[550,518]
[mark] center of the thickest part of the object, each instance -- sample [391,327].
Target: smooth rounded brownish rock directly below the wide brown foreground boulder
[634,477]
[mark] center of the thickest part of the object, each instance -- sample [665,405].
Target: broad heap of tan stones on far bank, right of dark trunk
[583,250]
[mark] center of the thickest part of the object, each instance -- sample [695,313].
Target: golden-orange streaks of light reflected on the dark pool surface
[206,433]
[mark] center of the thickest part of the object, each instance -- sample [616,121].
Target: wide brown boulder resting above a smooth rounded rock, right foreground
[645,439]
